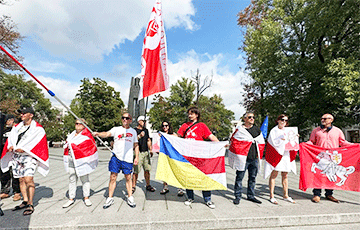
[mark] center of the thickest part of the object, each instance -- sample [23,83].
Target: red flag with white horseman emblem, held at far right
[337,168]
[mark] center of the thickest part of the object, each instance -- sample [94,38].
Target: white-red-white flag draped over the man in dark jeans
[241,142]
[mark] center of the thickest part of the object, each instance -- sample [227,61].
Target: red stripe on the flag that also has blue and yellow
[208,165]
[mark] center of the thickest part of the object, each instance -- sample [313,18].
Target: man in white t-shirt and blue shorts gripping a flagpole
[125,141]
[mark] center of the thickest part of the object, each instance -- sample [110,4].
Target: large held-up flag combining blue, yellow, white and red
[191,164]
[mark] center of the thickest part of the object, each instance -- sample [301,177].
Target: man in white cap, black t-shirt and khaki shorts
[144,156]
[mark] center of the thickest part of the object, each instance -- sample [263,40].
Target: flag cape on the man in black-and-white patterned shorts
[34,143]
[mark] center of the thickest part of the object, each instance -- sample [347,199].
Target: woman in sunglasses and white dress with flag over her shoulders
[278,159]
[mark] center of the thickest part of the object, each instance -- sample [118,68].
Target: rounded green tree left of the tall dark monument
[98,103]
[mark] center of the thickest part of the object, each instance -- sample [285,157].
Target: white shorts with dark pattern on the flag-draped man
[23,165]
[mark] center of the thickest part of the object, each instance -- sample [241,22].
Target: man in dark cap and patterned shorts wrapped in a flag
[26,149]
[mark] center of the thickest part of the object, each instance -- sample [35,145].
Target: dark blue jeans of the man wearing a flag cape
[252,167]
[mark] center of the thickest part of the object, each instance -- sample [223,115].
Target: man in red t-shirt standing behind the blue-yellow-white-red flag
[198,131]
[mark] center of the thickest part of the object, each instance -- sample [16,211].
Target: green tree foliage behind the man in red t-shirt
[173,109]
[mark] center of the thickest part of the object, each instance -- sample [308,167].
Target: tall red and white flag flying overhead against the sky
[154,77]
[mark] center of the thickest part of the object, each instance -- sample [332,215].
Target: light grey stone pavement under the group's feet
[155,211]
